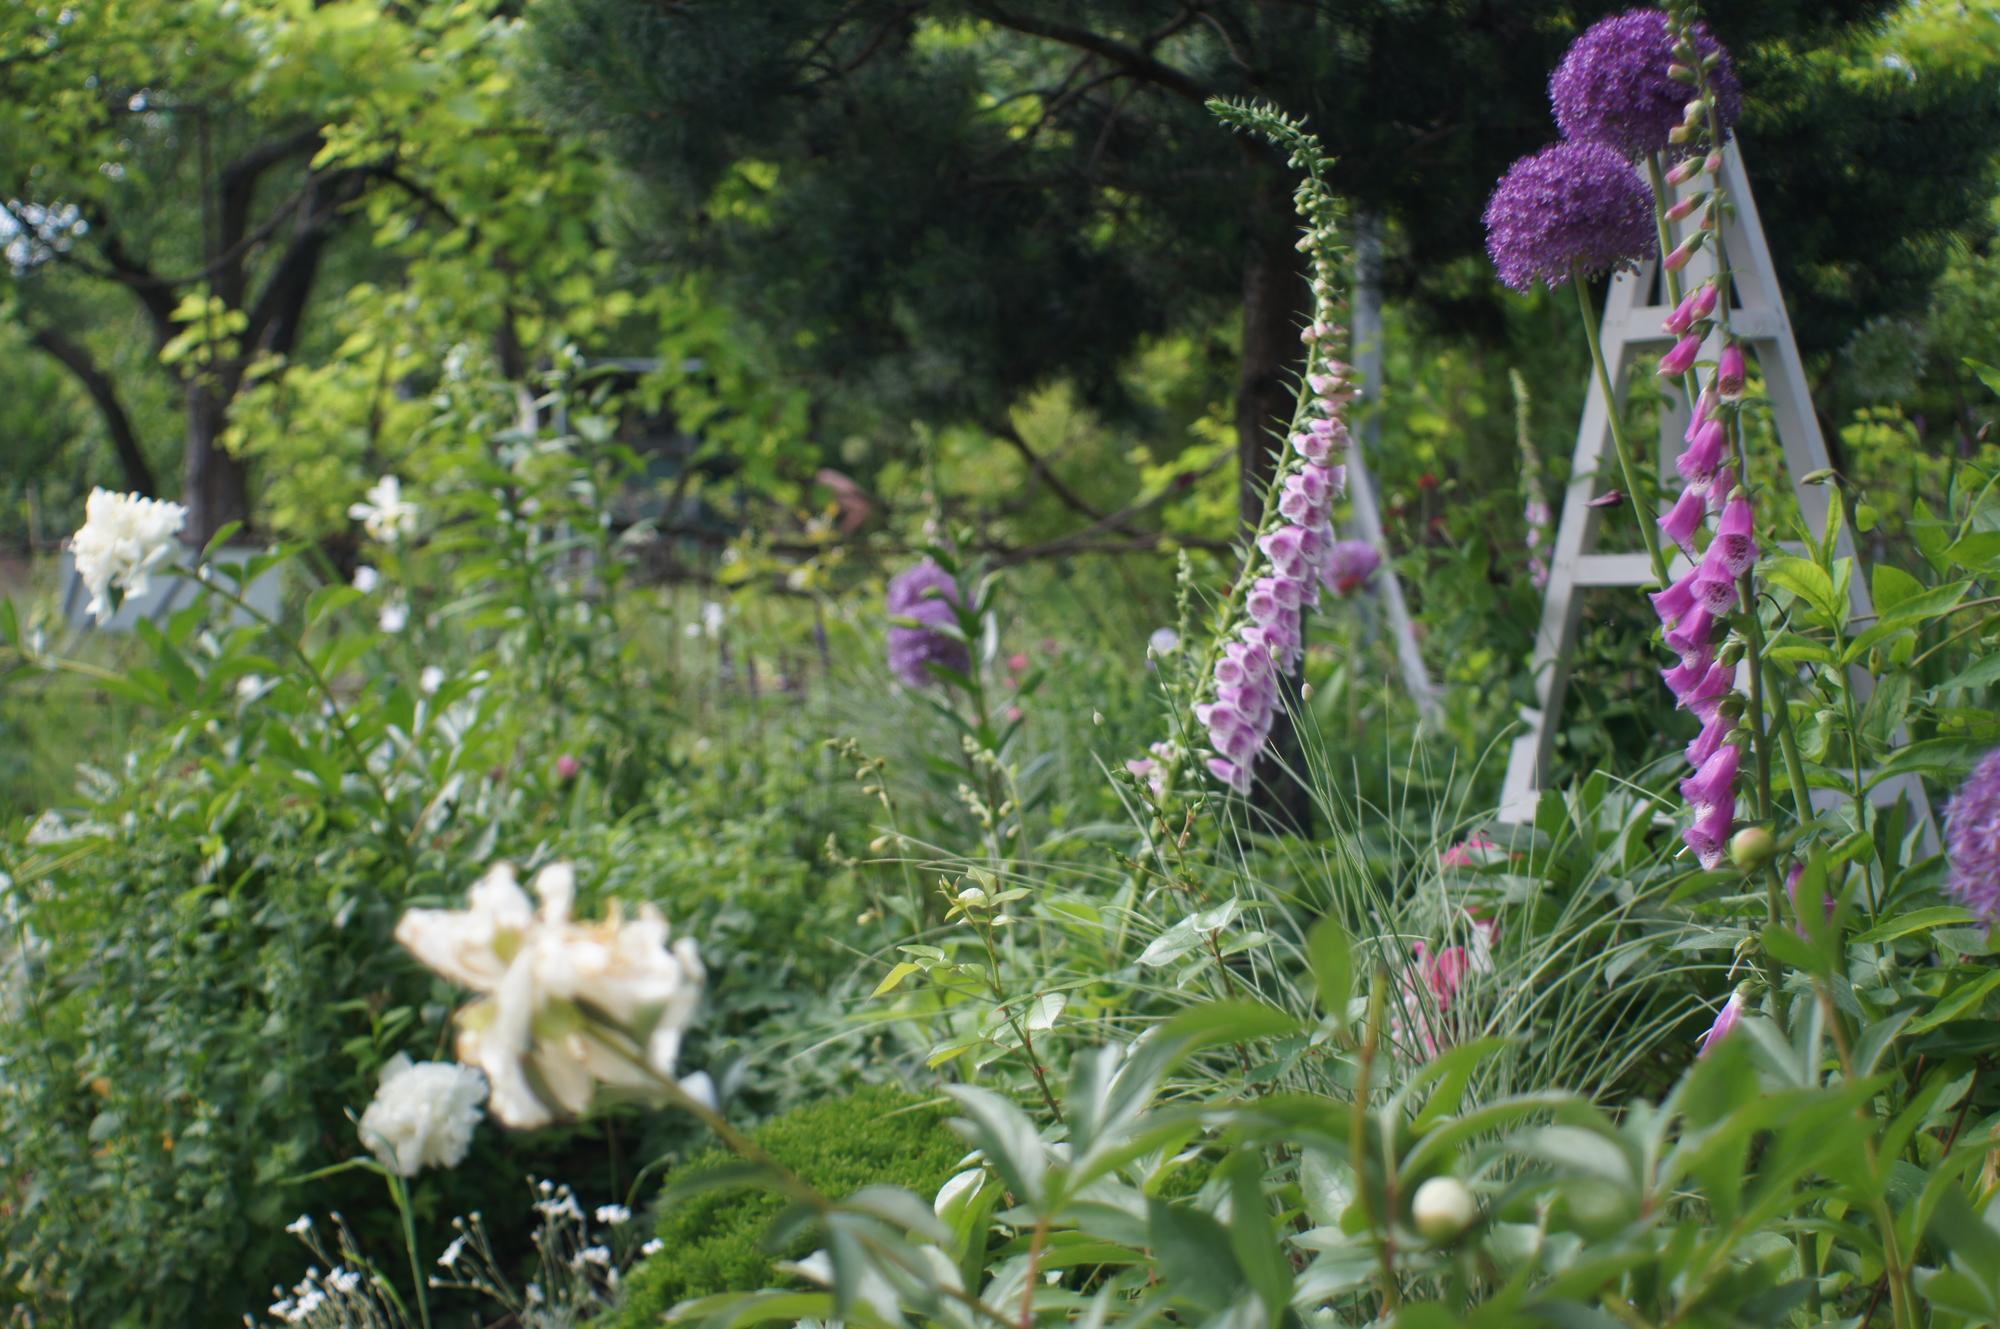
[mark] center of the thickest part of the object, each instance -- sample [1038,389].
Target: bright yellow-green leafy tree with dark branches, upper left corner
[205,197]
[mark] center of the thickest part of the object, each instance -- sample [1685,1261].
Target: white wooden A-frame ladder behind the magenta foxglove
[1635,313]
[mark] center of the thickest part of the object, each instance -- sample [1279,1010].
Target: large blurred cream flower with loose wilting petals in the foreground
[565,1008]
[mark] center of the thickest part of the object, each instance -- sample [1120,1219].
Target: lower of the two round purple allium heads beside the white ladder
[1569,207]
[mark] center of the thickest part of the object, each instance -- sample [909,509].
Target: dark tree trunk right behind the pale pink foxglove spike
[1275,299]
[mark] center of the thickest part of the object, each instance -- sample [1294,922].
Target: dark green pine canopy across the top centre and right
[939,205]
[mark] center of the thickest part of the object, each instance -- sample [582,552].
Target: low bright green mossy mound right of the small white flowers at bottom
[715,1242]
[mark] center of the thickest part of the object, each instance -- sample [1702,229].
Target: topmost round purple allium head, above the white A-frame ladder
[1613,85]
